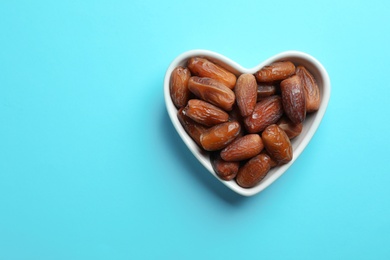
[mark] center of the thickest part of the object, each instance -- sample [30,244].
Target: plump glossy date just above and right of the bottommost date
[277,144]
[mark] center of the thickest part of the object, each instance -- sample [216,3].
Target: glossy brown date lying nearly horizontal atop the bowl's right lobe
[276,71]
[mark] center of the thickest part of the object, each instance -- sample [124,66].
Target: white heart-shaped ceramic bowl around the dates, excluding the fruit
[299,143]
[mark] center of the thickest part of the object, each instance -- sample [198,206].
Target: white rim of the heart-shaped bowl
[197,152]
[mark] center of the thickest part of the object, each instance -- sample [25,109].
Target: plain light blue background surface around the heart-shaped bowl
[91,167]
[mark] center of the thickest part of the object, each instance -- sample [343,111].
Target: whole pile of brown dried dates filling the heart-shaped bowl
[245,122]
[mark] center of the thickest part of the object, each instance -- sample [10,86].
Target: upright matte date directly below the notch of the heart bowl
[246,93]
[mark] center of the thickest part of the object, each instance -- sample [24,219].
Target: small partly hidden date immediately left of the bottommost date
[224,170]
